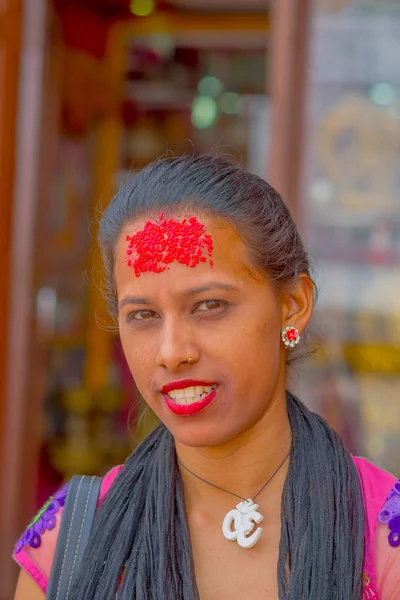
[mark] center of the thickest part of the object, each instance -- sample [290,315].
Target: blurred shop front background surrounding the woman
[306,94]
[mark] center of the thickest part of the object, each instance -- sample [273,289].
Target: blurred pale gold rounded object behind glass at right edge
[358,145]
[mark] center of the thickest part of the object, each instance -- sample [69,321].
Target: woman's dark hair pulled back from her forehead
[209,185]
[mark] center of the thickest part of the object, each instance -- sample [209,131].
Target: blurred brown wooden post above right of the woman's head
[290,59]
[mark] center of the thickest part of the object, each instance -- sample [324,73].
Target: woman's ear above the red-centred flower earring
[297,303]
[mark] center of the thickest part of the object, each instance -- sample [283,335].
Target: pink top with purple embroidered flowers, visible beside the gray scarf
[381,579]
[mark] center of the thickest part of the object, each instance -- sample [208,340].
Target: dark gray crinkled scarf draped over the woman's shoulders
[141,529]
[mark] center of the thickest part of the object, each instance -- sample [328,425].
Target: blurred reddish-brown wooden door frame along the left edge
[20,415]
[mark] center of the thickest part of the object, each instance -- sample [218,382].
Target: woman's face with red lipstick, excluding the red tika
[224,317]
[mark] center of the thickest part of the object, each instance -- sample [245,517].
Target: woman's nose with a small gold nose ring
[176,347]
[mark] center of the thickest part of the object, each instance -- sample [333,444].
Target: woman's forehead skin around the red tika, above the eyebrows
[227,257]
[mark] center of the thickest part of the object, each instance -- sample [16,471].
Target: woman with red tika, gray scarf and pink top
[211,285]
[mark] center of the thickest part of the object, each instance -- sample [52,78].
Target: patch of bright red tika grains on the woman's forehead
[159,244]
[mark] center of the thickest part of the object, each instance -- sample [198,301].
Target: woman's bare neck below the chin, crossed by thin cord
[241,465]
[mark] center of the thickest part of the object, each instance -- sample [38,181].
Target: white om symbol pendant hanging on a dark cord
[239,524]
